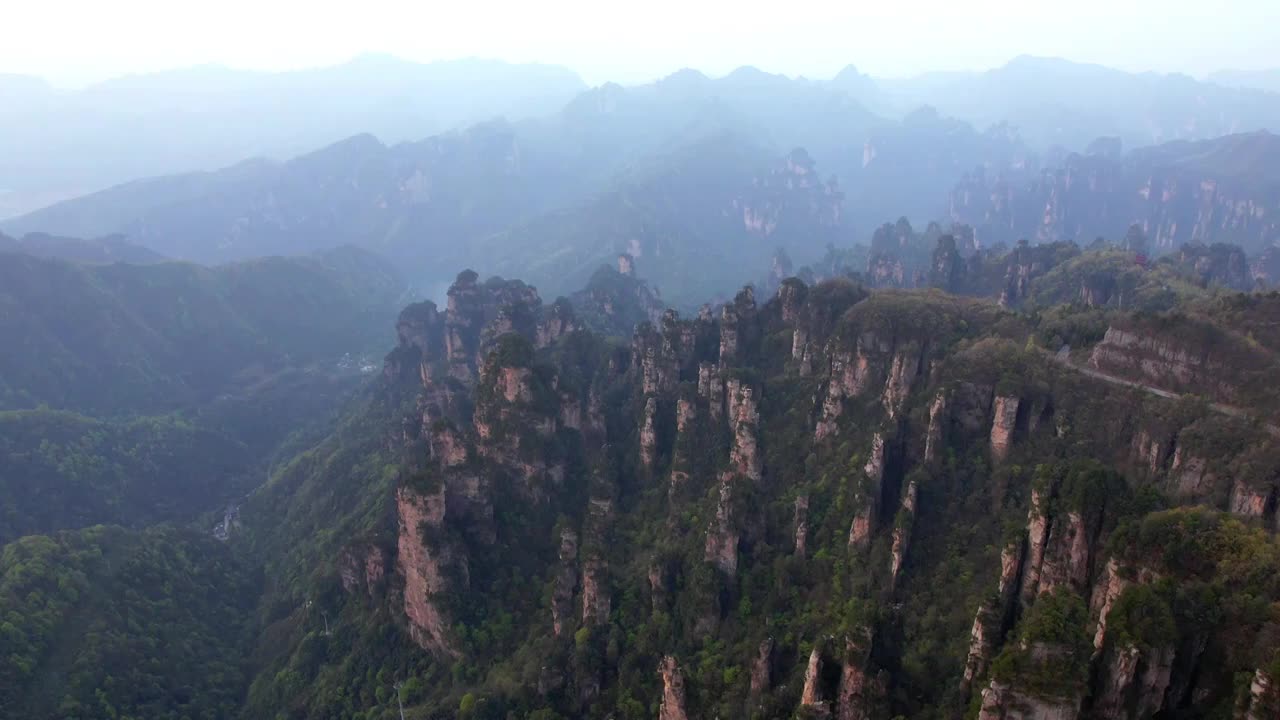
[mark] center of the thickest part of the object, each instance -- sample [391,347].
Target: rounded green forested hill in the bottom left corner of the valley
[107,623]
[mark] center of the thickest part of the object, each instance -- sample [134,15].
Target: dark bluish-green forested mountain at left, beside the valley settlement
[156,339]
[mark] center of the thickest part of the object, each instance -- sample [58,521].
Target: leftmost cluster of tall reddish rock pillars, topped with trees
[486,416]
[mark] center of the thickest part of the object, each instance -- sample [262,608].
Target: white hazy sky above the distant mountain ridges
[76,42]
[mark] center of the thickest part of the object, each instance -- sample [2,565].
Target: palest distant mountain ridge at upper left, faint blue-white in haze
[61,144]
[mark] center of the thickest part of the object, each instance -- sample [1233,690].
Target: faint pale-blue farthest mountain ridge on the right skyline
[1054,102]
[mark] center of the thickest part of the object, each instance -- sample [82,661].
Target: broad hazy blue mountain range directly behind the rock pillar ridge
[552,199]
